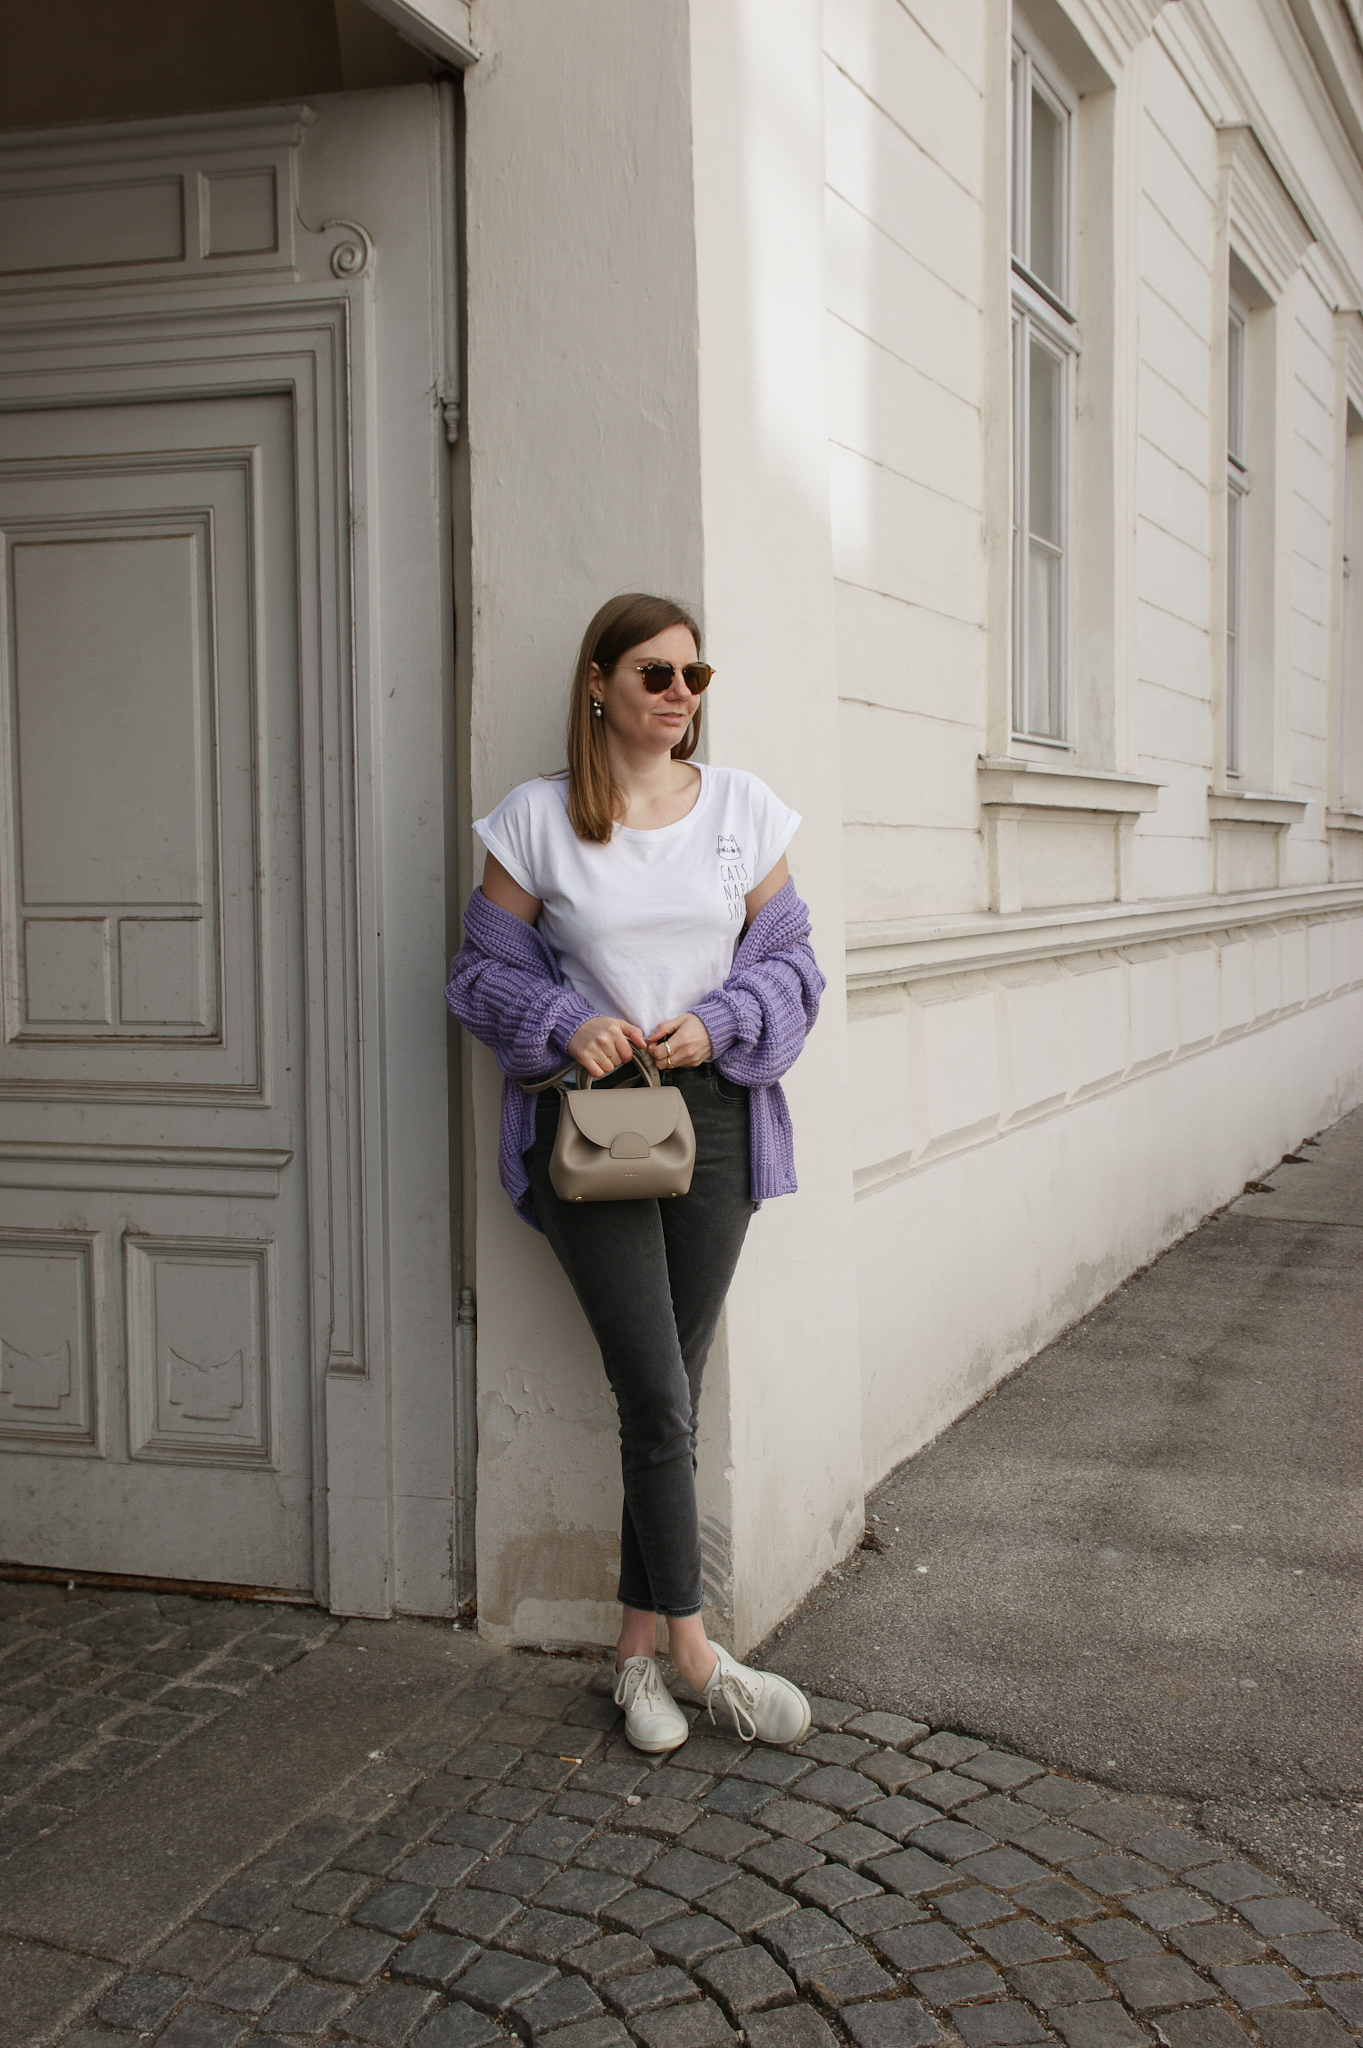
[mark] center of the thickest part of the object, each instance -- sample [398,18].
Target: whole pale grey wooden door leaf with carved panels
[155,1289]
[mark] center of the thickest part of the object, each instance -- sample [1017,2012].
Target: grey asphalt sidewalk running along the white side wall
[1143,1555]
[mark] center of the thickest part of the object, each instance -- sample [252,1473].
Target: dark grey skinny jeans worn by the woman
[652,1279]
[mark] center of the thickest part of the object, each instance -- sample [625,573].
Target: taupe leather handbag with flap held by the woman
[621,1144]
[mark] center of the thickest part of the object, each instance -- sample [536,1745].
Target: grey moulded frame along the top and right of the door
[310,339]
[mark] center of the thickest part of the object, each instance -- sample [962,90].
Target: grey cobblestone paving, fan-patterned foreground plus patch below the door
[513,1869]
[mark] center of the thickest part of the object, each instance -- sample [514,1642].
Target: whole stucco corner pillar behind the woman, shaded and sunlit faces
[648,411]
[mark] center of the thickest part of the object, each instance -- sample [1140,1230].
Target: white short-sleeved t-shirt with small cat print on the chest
[646,925]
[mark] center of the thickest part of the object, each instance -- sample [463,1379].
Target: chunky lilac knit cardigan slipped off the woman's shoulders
[509,992]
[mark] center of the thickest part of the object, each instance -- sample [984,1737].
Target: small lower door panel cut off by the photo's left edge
[48,1342]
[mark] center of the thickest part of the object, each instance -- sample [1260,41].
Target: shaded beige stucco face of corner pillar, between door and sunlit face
[584,480]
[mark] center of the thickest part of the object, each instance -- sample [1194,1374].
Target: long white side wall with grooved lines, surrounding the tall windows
[1047,1101]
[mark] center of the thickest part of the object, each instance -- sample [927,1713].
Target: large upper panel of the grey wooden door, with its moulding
[128,730]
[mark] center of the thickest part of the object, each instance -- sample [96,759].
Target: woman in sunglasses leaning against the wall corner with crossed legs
[642,904]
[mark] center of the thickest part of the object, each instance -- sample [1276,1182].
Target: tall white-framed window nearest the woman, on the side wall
[1045,370]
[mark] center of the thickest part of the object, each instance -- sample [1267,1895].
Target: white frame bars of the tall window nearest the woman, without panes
[1043,318]
